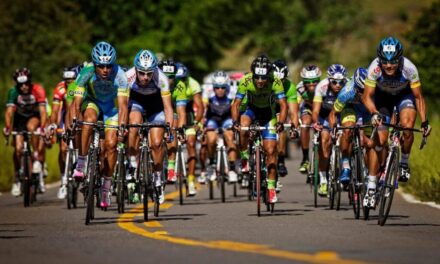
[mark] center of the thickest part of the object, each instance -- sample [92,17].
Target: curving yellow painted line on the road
[126,222]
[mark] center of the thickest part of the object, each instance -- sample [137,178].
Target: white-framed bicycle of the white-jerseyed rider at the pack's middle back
[222,166]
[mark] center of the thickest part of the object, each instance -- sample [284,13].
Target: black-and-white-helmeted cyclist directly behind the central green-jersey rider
[281,71]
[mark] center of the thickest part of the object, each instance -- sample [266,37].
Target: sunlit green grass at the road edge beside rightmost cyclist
[425,165]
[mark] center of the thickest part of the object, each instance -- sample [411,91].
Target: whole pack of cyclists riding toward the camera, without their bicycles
[163,92]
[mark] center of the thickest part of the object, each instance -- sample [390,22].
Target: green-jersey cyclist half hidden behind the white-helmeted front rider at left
[179,99]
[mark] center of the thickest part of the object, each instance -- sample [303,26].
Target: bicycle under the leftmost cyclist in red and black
[29,181]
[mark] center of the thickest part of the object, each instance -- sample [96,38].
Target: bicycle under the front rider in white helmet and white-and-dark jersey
[145,179]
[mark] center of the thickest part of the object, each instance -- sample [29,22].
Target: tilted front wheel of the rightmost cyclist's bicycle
[387,191]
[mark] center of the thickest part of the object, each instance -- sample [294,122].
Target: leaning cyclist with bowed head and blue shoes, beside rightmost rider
[352,111]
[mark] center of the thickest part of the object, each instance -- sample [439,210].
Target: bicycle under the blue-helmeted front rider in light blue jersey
[92,182]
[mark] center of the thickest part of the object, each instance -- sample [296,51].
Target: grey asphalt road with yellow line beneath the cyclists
[208,231]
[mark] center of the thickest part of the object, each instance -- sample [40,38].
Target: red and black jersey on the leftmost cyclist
[27,104]
